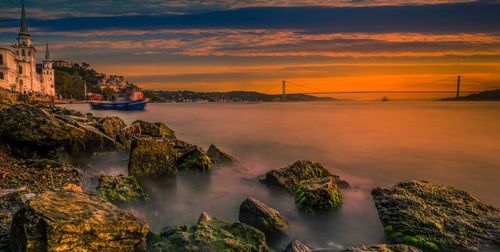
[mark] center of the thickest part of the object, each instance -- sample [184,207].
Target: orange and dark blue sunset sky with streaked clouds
[315,45]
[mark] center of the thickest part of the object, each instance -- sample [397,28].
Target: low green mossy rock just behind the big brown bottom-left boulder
[120,189]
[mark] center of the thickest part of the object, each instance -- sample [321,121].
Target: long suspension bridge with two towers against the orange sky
[457,85]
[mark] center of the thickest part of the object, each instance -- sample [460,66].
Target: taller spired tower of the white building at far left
[25,57]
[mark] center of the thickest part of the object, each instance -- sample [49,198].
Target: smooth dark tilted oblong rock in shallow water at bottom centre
[266,219]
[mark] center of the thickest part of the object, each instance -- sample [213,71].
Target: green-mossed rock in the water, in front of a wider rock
[318,195]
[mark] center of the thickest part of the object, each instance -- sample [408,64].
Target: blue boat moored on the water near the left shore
[130,100]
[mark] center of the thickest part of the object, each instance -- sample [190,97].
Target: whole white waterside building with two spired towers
[18,66]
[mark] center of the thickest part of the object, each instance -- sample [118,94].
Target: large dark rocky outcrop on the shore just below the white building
[37,131]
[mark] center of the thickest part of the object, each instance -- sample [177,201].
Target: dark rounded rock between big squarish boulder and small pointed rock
[194,159]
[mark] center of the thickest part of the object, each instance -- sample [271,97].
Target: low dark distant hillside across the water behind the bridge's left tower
[234,96]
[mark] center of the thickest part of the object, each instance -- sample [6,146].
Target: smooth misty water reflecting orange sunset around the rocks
[367,144]
